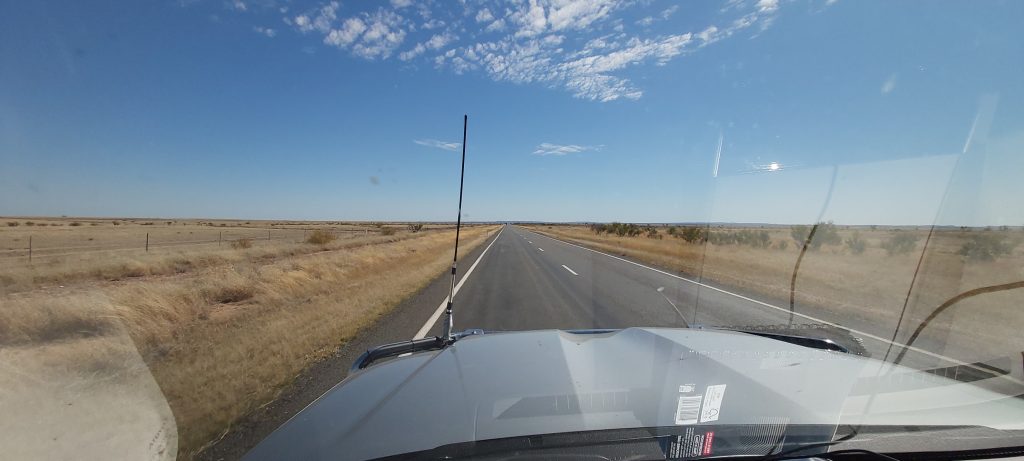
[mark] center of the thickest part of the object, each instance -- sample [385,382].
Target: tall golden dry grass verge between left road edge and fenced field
[223,340]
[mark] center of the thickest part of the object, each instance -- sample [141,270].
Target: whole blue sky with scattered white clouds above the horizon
[753,111]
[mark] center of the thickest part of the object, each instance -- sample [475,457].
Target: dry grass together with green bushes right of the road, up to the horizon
[864,272]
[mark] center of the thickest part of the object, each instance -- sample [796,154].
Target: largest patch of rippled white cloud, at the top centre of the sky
[577,46]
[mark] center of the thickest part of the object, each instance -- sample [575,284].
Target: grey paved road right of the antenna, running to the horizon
[527,281]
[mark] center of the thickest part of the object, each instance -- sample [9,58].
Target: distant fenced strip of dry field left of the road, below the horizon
[115,250]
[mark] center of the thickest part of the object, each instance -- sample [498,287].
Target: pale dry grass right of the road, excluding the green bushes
[869,288]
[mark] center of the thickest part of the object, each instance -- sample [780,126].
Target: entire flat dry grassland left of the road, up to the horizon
[219,318]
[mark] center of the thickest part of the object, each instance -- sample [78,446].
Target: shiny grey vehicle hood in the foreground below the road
[511,385]
